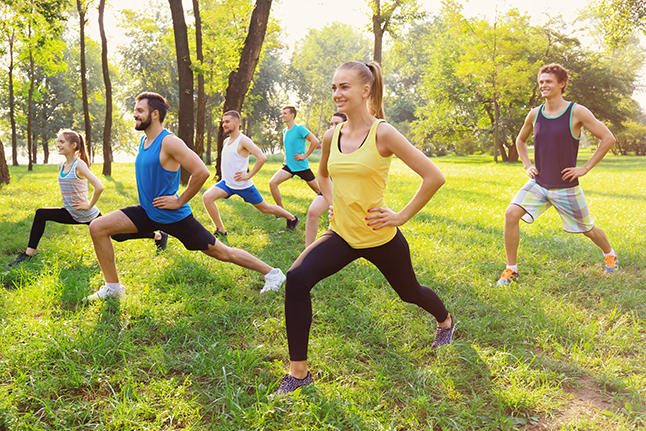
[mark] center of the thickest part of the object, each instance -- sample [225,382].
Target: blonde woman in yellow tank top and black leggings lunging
[357,155]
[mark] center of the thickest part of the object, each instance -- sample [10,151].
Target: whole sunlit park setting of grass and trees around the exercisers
[194,346]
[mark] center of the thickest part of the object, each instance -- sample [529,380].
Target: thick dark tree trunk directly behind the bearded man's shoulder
[185,75]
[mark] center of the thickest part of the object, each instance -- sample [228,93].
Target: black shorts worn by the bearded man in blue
[189,231]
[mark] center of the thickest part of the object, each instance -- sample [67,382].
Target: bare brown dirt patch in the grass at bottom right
[587,400]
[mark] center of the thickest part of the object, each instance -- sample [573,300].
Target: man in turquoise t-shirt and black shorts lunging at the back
[294,137]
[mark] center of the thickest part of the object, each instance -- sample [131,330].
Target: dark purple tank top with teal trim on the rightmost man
[555,148]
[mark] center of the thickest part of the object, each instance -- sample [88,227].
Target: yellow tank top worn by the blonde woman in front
[359,181]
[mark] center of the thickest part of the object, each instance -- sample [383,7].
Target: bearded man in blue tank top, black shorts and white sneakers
[157,169]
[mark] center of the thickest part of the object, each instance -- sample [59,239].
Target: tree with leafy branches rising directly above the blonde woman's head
[387,17]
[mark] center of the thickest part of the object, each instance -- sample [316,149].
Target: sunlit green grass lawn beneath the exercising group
[195,347]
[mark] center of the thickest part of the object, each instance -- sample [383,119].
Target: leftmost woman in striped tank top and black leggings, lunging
[73,176]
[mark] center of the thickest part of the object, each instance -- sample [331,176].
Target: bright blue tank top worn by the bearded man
[153,181]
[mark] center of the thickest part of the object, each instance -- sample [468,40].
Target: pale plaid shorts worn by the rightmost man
[569,203]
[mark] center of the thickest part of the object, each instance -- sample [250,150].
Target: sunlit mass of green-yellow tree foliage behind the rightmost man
[478,75]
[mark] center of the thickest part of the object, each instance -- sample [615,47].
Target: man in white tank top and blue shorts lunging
[236,177]
